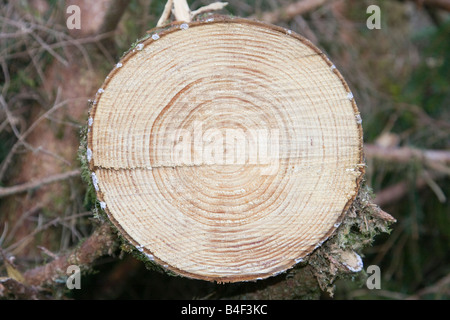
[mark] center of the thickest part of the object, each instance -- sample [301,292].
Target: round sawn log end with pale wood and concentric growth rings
[225,150]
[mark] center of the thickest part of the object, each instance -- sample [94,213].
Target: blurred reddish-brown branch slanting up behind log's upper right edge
[290,11]
